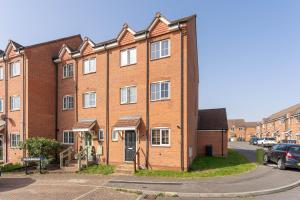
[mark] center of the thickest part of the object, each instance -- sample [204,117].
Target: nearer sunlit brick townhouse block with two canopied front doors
[135,93]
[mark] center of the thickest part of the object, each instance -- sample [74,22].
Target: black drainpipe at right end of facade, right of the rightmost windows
[181,99]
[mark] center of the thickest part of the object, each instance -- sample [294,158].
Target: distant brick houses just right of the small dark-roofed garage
[239,129]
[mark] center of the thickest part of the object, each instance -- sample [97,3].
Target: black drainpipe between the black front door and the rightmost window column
[147,101]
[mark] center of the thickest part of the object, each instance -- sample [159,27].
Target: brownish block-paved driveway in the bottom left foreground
[58,187]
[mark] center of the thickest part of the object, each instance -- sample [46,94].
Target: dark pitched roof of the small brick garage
[212,119]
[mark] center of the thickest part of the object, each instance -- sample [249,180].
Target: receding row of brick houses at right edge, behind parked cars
[283,125]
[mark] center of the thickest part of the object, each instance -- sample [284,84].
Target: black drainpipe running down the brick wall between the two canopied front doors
[107,105]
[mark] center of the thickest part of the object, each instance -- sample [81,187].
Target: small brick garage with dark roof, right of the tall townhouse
[212,131]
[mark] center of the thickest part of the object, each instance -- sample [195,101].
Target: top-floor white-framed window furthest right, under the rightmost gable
[160,49]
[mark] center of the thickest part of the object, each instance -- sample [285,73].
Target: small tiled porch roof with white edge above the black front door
[127,123]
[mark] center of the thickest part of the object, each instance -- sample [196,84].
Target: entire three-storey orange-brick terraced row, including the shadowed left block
[136,93]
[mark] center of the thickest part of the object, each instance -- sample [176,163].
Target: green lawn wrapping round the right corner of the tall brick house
[234,163]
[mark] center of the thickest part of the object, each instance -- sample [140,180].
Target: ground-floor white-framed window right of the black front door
[160,137]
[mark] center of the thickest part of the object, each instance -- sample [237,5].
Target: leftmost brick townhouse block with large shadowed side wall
[27,93]
